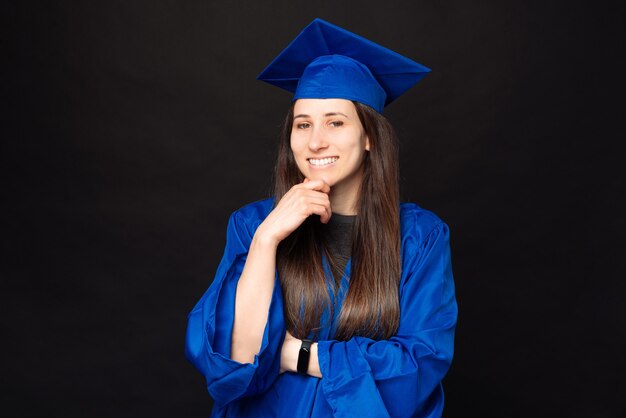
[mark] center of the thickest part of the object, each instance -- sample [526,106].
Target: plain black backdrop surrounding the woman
[134,128]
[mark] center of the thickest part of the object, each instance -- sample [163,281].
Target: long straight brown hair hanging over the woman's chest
[371,306]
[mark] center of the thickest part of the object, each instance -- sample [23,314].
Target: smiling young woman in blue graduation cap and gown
[332,298]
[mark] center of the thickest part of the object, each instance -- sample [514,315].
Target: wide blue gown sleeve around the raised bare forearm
[210,324]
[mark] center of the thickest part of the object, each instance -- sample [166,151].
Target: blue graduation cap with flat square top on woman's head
[325,61]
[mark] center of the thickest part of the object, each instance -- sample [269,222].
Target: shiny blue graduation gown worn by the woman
[399,377]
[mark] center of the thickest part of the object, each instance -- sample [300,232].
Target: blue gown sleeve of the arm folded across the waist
[400,376]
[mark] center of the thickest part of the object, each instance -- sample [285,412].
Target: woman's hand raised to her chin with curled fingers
[301,201]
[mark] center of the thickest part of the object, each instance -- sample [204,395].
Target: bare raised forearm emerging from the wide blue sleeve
[253,298]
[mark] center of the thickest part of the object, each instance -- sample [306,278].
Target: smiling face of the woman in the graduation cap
[328,142]
